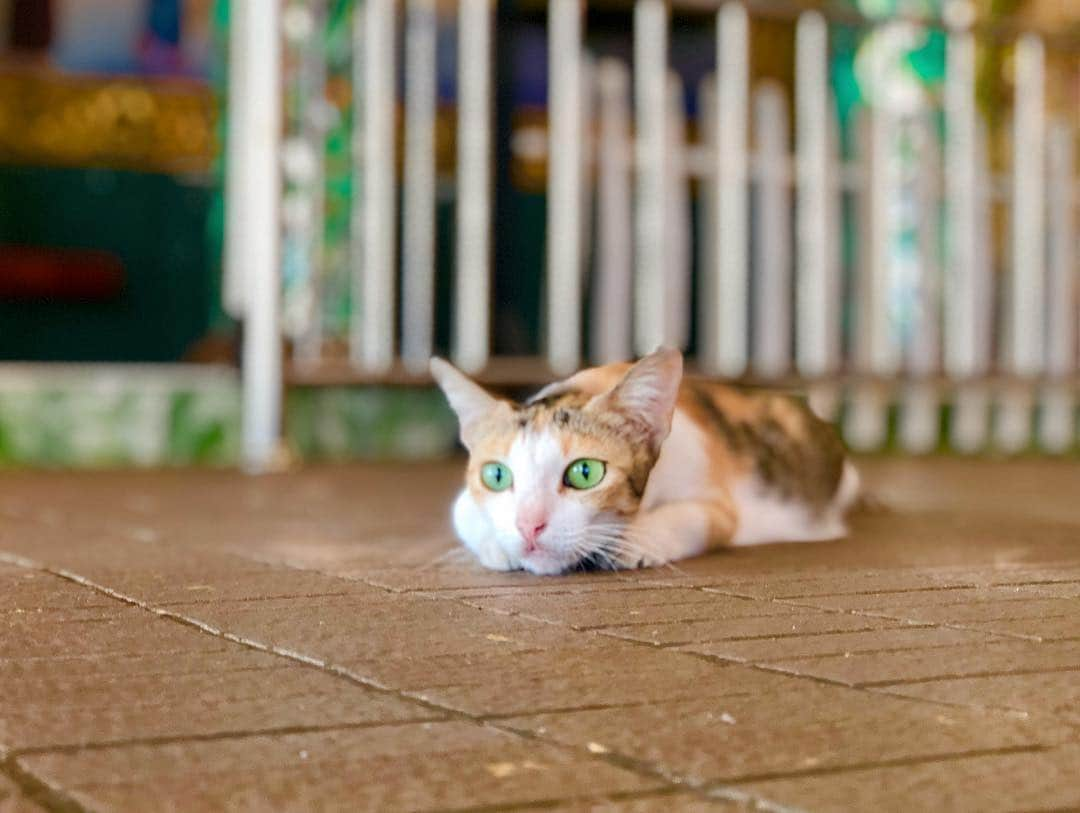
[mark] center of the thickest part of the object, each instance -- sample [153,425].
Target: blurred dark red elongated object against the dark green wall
[67,275]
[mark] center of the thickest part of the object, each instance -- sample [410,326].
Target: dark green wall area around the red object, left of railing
[156,224]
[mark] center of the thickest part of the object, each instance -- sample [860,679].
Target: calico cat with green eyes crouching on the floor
[634,466]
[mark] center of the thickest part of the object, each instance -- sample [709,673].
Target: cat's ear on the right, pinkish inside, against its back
[647,394]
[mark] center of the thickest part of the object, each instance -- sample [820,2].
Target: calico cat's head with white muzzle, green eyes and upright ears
[560,477]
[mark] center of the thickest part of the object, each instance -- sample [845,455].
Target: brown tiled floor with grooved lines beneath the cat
[205,642]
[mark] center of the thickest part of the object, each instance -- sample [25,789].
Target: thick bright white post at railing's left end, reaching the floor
[254,205]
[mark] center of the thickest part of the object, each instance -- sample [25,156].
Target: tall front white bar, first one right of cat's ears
[733,45]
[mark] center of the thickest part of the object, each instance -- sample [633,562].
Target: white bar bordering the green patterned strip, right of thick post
[372,341]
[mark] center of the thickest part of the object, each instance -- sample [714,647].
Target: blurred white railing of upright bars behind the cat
[926,331]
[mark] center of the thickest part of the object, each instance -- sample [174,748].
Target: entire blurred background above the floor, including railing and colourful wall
[235,232]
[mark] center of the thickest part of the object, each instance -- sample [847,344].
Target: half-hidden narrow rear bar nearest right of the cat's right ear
[708,335]
